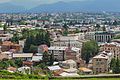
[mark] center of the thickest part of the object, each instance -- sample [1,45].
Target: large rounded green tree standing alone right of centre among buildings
[89,49]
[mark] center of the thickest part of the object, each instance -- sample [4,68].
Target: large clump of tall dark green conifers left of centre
[34,39]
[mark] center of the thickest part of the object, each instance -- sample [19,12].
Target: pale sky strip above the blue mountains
[34,3]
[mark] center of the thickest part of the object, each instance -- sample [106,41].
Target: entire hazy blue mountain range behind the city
[74,6]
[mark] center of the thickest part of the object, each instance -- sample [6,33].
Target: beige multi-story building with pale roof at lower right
[101,62]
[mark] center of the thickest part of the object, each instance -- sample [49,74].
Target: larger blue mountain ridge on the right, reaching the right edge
[77,6]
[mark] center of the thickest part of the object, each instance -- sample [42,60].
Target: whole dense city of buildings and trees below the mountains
[46,45]
